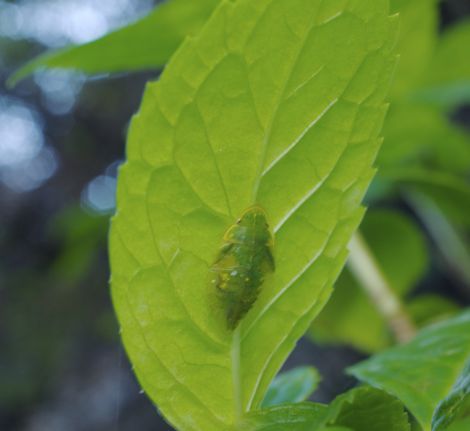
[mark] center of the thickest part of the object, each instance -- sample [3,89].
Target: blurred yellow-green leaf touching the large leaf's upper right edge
[418,34]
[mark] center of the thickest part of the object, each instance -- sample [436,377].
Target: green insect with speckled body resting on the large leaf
[243,263]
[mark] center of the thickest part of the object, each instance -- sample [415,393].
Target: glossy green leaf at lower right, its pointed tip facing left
[422,372]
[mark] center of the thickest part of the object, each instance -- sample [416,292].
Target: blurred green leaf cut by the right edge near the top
[447,81]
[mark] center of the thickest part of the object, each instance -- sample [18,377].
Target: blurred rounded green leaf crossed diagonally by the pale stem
[350,316]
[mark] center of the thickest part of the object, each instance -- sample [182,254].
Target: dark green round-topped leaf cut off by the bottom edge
[368,409]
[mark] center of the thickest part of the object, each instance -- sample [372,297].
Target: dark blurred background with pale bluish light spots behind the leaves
[62,138]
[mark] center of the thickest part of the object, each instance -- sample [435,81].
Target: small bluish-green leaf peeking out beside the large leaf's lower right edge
[292,386]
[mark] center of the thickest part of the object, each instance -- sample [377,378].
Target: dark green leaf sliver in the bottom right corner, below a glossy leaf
[456,407]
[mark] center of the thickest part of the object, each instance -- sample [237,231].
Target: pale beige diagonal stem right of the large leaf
[367,271]
